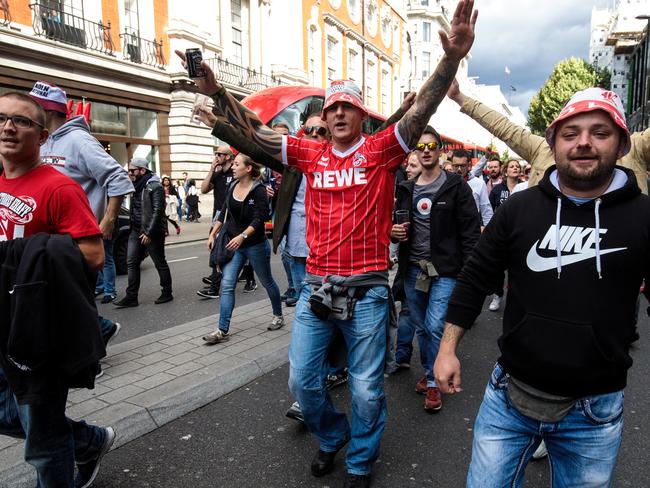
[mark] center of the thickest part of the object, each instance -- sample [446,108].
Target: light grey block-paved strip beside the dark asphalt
[154,379]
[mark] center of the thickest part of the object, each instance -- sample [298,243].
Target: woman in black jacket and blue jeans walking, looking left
[243,215]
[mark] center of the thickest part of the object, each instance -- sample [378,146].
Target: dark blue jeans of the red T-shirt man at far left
[52,441]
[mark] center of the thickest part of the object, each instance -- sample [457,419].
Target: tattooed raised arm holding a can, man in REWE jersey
[241,118]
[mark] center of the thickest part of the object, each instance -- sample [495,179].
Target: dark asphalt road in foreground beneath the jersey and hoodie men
[244,440]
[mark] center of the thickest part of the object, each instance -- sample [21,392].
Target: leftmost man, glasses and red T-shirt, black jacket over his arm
[35,199]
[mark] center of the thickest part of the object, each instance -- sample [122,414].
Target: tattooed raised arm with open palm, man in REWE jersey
[456,46]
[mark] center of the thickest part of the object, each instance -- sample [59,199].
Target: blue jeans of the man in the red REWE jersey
[365,337]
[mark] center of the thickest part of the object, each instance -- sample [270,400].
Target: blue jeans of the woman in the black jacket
[259,256]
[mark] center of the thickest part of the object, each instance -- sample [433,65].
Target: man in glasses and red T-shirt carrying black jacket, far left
[39,199]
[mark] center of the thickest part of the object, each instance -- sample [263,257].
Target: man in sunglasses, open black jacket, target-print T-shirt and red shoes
[441,233]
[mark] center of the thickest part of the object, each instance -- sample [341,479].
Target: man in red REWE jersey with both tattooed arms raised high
[349,202]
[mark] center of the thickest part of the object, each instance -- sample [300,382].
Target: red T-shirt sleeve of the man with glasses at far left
[70,212]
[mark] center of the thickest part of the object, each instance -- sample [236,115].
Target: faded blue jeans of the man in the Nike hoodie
[582,447]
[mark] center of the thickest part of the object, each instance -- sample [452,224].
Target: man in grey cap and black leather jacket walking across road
[147,233]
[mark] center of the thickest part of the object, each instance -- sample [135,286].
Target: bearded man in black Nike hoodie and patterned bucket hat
[576,248]
